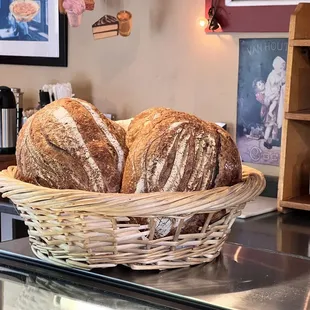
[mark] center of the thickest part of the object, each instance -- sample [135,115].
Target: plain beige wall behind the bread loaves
[167,61]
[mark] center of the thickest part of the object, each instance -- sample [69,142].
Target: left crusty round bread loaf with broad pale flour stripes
[69,144]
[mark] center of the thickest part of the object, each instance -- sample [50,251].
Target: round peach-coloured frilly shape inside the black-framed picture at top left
[24,10]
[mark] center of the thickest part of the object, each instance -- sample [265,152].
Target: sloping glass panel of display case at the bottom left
[20,290]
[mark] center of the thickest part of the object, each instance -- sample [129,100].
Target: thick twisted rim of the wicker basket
[119,204]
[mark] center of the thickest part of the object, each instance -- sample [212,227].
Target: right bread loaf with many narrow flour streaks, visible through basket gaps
[175,151]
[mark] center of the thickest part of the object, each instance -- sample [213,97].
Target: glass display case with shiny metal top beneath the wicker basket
[241,279]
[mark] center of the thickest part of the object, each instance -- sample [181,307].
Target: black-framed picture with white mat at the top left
[32,32]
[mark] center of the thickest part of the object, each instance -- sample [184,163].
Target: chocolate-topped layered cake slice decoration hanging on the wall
[106,27]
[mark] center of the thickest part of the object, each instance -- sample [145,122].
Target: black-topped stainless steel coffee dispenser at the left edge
[8,121]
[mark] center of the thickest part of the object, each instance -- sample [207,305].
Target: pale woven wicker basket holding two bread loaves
[91,230]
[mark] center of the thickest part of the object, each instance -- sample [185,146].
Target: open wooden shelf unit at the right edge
[295,153]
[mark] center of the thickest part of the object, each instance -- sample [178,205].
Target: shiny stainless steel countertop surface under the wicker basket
[242,279]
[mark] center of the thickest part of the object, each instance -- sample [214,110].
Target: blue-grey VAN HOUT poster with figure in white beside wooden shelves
[261,90]
